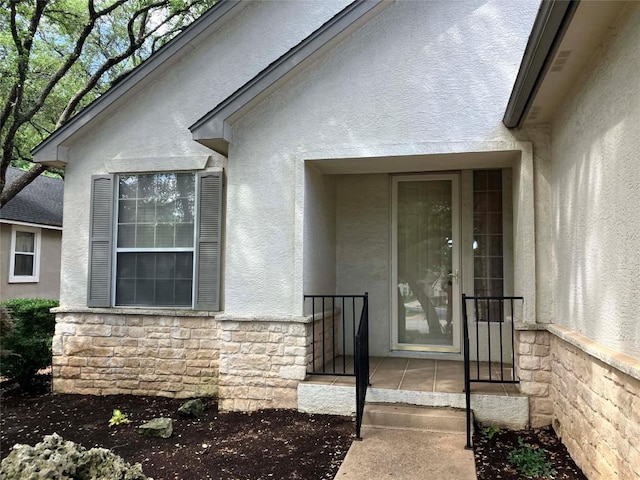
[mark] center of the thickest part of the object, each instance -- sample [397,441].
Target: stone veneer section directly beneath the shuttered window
[140,353]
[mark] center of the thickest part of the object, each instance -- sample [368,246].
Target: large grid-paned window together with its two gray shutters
[155,240]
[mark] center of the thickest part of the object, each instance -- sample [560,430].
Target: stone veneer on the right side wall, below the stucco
[596,406]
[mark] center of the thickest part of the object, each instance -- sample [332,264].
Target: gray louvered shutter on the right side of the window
[208,241]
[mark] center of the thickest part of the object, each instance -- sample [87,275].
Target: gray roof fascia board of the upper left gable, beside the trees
[49,151]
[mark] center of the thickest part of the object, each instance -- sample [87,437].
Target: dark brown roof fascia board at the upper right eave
[552,21]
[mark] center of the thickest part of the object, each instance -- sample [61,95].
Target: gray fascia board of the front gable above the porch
[214,129]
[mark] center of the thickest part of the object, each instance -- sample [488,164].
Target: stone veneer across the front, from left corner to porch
[249,363]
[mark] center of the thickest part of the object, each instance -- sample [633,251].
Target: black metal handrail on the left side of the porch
[334,321]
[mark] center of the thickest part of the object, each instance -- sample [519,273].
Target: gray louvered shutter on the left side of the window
[100,240]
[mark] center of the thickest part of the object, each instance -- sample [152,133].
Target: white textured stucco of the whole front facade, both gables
[449,86]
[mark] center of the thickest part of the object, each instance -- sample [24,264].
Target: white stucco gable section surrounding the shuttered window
[153,119]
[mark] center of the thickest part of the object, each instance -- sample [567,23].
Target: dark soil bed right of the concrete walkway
[492,449]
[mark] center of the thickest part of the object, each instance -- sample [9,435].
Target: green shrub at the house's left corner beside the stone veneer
[25,338]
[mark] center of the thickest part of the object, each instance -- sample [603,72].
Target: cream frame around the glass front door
[456,264]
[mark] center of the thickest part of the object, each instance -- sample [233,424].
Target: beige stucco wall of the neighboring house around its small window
[48,285]
